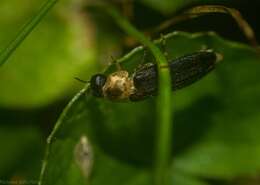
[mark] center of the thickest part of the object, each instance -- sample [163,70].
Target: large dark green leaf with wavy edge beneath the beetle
[212,116]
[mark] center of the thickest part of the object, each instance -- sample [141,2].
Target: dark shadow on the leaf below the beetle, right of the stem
[192,123]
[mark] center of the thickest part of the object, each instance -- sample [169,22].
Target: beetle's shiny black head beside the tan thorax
[96,83]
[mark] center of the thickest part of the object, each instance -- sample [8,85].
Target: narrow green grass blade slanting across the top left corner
[26,30]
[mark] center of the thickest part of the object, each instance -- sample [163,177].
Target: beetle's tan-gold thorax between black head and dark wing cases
[119,86]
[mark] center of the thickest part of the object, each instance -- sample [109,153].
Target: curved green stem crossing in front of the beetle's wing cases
[164,107]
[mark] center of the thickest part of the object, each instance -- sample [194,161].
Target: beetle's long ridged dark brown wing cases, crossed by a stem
[184,71]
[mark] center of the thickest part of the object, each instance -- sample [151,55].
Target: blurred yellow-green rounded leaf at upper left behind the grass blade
[43,69]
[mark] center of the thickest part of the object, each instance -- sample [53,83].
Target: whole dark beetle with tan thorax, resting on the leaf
[143,82]
